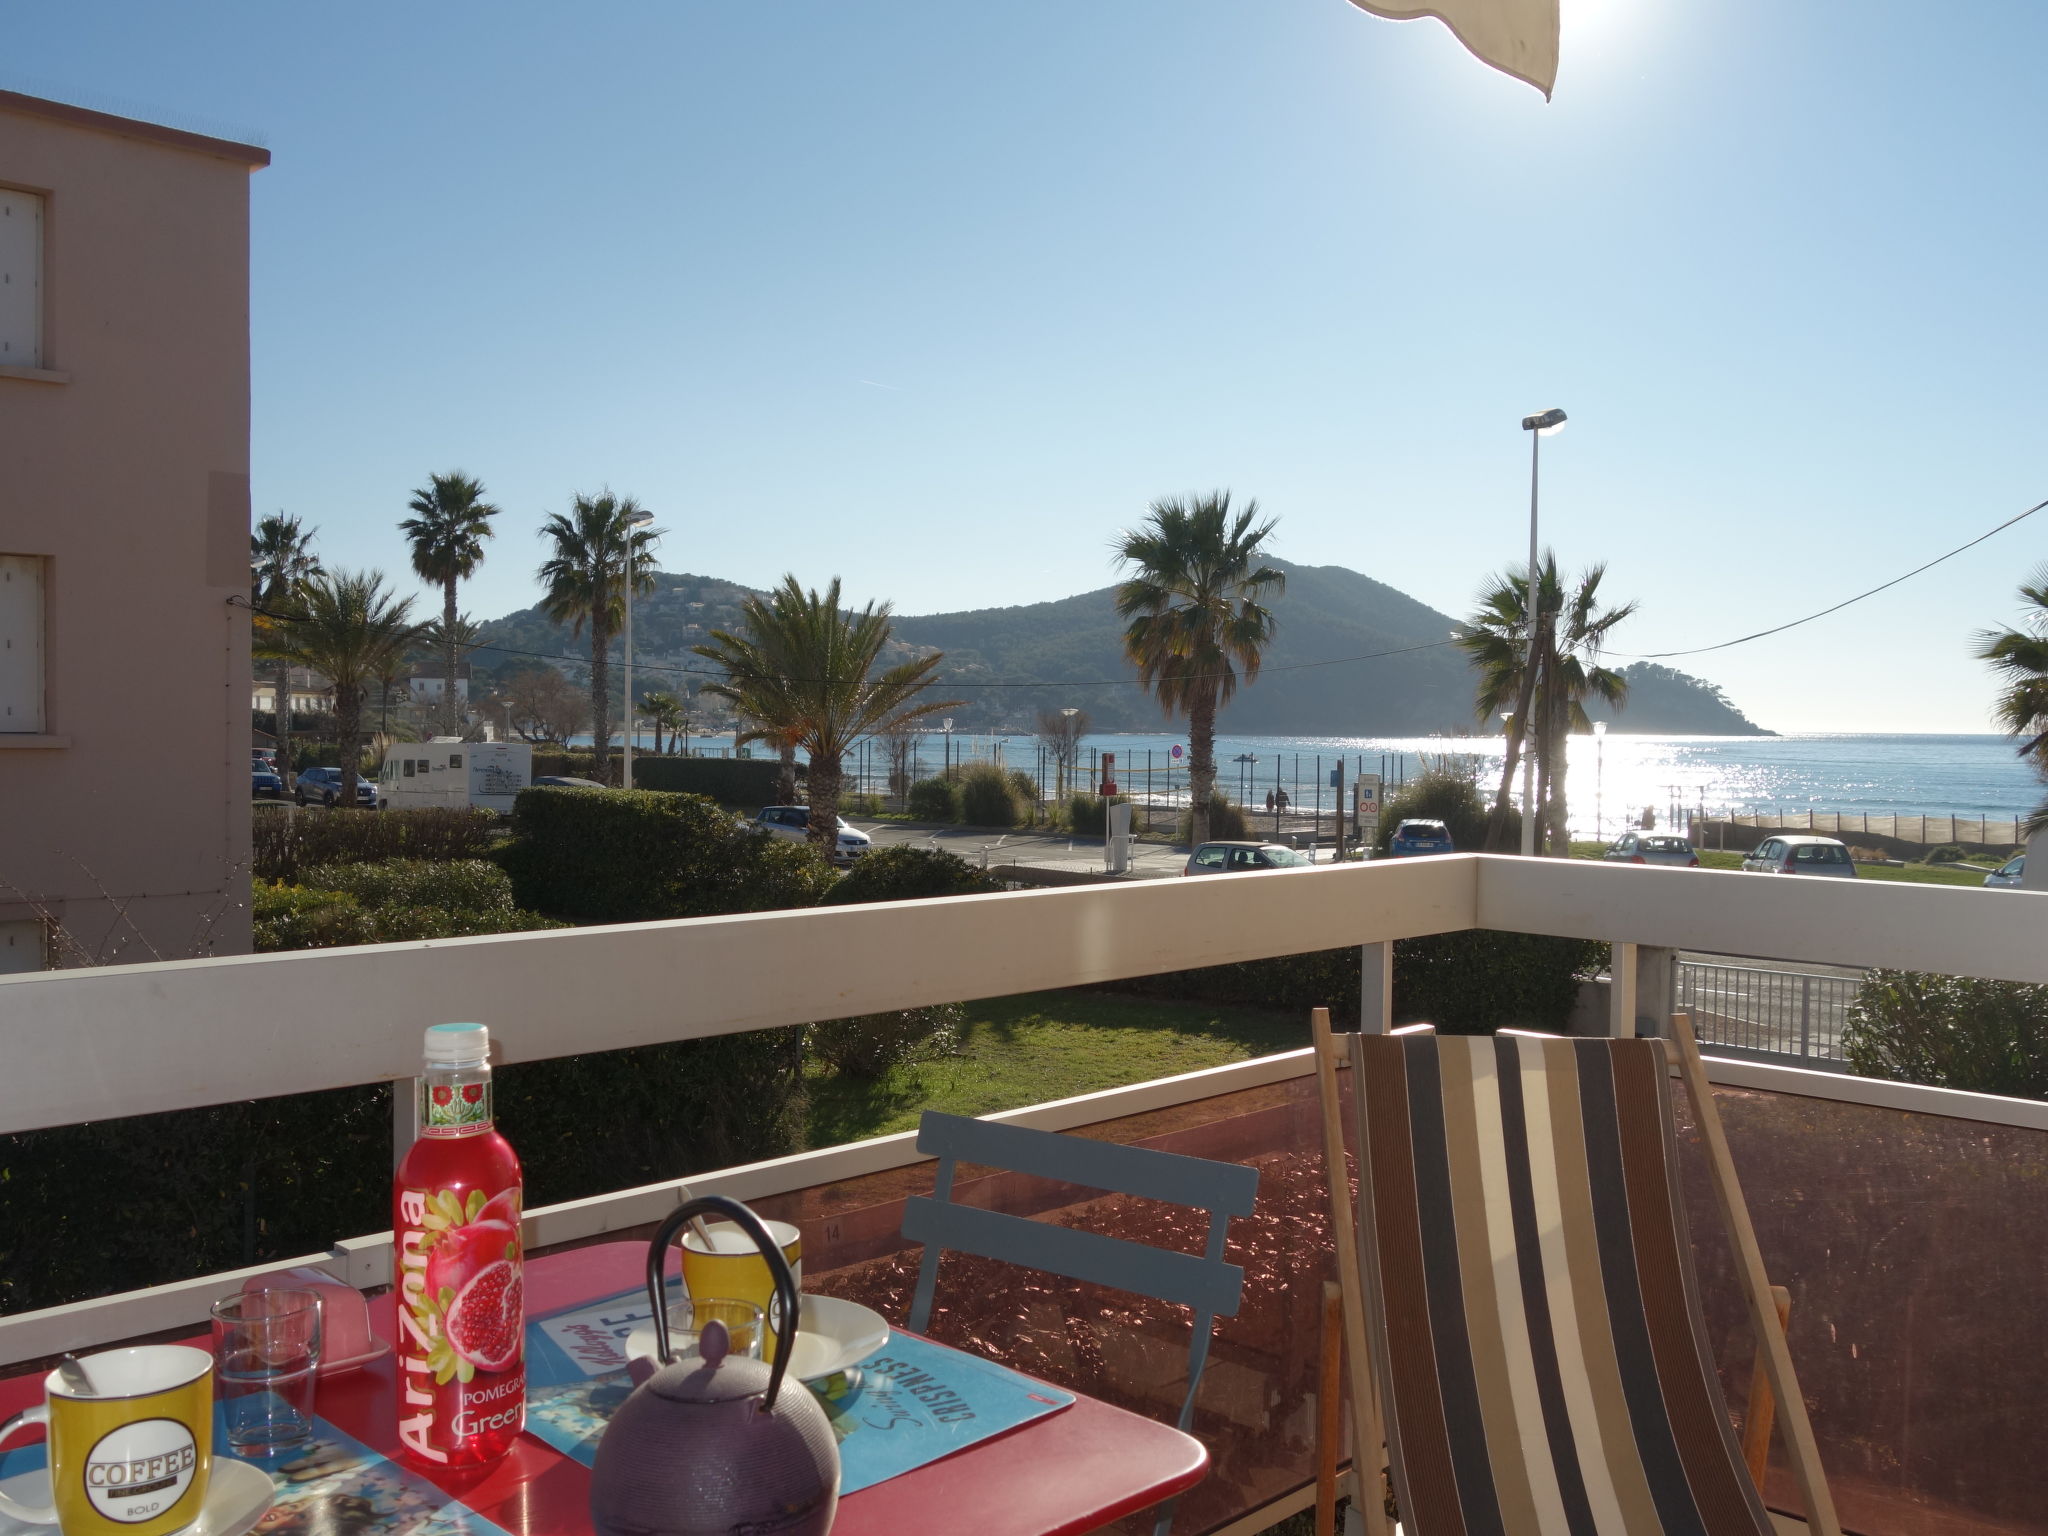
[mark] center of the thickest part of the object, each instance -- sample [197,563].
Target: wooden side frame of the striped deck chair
[1775,1390]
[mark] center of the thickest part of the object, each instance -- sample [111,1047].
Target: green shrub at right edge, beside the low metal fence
[1983,1037]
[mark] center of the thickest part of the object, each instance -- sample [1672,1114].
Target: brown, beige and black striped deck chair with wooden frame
[1531,1310]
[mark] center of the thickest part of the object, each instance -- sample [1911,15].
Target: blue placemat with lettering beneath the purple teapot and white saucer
[908,1404]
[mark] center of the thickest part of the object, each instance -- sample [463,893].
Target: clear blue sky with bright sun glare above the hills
[939,296]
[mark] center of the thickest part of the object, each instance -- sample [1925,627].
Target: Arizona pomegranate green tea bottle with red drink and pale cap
[458,1263]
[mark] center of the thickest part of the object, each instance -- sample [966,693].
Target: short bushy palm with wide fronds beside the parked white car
[804,675]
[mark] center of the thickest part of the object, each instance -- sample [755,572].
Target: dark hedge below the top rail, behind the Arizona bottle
[93,1209]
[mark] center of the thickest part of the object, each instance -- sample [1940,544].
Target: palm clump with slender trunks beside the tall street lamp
[1549,699]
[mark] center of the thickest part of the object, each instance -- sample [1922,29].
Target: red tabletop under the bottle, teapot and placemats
[1062,1476]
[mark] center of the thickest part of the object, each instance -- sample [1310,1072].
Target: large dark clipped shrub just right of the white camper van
[615,855]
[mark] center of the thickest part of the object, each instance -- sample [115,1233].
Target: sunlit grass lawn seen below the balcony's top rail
[1048,1046]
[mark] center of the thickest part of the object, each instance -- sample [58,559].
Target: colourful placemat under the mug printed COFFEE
[335,1486]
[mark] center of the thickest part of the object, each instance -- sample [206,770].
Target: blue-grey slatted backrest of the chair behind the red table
[1207,1283]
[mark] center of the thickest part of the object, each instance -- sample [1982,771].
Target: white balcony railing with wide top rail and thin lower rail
[91,1046]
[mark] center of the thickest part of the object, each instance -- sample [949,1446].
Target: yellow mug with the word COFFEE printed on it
[134,1457]
